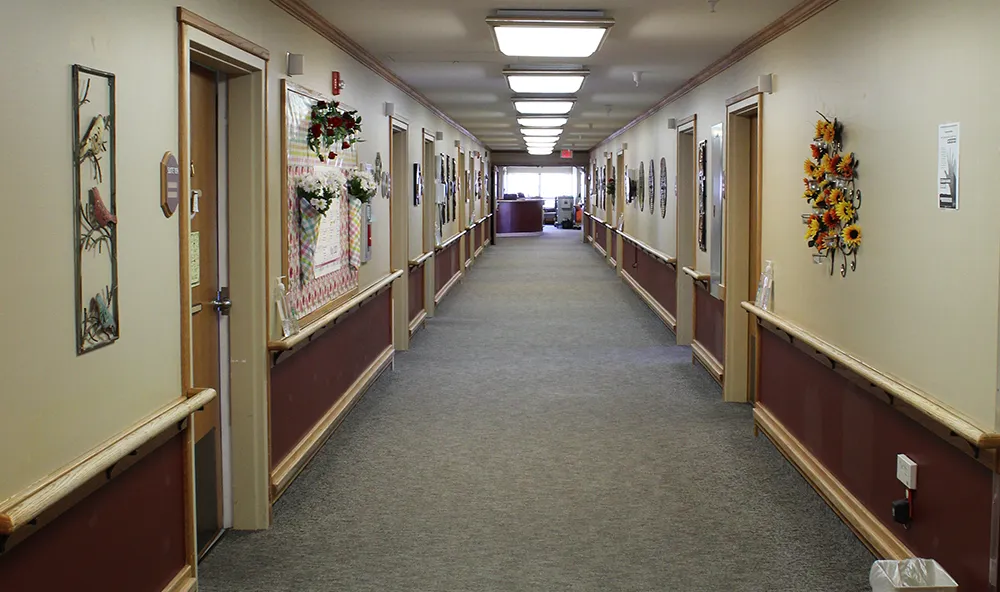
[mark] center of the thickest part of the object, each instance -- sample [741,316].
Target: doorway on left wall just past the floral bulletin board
[399,207]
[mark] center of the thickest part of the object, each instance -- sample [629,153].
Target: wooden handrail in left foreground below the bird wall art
[23,508]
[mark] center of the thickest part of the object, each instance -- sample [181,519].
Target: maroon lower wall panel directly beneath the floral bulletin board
[308,382]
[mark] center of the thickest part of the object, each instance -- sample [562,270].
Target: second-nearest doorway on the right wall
[684,193]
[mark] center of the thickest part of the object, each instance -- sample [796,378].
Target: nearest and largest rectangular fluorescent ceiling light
[557,34]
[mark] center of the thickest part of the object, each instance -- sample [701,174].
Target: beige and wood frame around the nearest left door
[246,65]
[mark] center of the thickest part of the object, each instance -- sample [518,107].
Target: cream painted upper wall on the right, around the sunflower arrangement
[923,303]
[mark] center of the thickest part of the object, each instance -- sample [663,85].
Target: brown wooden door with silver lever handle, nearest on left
[204,293]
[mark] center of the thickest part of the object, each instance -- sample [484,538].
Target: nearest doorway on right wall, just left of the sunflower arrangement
[742,263]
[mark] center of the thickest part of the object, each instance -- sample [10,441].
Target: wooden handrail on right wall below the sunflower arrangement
[914,398]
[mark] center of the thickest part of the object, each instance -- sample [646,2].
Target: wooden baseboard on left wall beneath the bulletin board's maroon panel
[290,467]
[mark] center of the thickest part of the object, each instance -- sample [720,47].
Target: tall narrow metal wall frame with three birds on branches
[95,226]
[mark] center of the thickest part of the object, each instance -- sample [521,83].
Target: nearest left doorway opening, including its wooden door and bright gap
[210,302]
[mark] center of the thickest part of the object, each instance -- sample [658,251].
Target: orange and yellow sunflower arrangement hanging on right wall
[830,189]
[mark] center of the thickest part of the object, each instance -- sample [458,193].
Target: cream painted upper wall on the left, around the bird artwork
[56,405]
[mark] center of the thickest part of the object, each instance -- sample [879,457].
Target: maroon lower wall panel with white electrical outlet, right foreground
[857,437]
